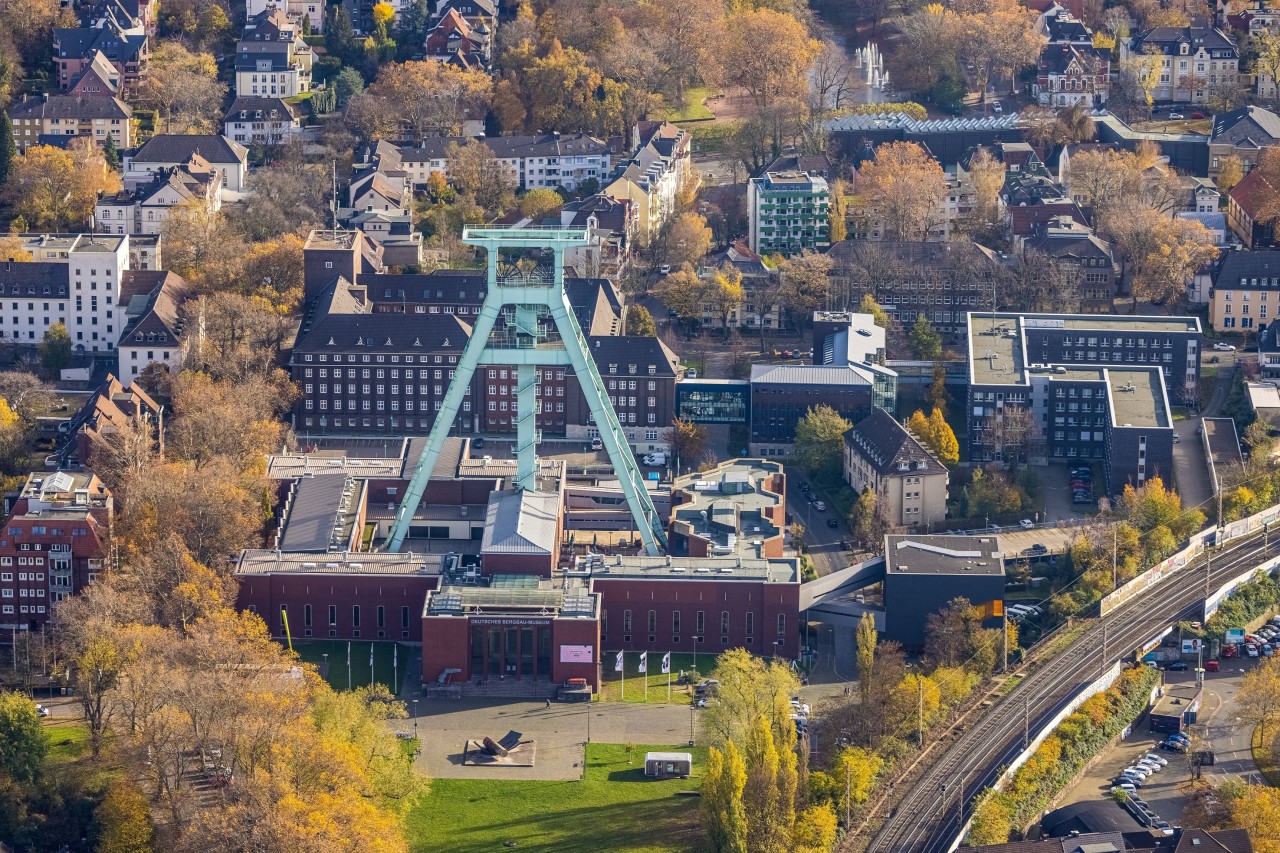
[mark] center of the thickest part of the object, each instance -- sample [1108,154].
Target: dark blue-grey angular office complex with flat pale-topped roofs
[1098,389]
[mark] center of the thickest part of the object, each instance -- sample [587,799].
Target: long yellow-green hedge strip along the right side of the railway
[1077,740]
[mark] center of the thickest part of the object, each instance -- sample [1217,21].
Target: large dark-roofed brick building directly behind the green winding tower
[397,337]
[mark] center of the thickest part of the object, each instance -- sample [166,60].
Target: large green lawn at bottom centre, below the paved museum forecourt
[614,809]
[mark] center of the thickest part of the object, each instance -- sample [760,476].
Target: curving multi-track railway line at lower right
[929,818]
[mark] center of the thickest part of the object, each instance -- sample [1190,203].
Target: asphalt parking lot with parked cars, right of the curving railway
[1219,728]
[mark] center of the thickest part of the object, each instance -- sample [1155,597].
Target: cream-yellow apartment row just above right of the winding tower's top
[660,167]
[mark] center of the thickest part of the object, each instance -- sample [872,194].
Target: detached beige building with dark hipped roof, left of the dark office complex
[911,486]
